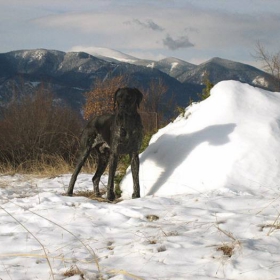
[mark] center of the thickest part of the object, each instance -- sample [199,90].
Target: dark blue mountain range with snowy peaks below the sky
[69,75]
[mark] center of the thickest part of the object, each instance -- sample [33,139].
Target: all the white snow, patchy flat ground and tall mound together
[210,206]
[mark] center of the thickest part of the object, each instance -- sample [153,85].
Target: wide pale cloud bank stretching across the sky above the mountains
[114,27]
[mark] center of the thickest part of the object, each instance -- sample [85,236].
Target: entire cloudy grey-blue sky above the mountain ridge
[191,30]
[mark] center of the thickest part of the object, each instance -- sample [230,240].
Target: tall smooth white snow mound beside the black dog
[228,142]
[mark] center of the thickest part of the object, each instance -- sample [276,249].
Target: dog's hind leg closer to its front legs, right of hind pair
[103,158]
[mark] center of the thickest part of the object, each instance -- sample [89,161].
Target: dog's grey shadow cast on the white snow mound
[174,149]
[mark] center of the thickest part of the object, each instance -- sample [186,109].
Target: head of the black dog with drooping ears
[127,100]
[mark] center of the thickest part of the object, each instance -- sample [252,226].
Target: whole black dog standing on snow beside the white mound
[110,136]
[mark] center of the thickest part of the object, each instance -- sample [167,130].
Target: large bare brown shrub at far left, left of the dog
[35,130]
